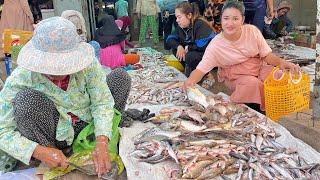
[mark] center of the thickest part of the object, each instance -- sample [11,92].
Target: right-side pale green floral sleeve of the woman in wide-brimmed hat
[101,100]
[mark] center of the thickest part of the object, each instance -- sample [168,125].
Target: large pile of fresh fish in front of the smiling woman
[215,138]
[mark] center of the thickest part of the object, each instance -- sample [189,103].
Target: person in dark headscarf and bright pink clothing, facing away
[112,42]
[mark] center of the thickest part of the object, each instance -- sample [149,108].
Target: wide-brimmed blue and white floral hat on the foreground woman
[55,49]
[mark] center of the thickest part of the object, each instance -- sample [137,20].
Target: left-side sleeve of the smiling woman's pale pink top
[209,60]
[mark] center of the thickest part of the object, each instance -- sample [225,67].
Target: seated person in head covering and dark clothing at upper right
[280,25]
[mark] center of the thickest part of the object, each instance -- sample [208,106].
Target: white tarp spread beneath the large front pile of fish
[144,171]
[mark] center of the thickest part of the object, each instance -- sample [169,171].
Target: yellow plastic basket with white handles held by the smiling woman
[286,95]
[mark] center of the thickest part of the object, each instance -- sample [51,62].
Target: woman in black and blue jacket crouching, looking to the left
[191,38]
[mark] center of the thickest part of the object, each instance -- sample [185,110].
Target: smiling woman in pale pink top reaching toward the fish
[243,57]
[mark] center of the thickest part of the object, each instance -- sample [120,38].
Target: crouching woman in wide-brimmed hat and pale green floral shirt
[57,89]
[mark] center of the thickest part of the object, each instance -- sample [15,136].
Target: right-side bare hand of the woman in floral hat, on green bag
[101,156]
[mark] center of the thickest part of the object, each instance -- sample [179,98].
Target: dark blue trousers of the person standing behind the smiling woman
[256,16]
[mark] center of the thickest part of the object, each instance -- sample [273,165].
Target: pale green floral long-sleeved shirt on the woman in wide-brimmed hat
[88,97]
